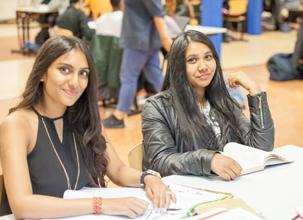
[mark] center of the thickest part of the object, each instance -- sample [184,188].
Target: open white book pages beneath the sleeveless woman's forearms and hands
[186,198]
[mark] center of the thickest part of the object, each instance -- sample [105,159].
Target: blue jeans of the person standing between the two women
[133,62]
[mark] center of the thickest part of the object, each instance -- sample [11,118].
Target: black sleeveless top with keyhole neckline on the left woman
[46,173]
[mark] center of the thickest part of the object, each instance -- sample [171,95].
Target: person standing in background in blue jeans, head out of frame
[143,34]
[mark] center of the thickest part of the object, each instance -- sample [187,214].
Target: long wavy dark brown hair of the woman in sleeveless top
[83,116]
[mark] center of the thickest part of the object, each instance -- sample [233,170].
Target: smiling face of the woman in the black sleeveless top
[66,79]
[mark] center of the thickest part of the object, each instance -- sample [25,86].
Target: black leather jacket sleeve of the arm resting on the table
[160,150]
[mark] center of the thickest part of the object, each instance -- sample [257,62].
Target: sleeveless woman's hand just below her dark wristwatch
[160,194]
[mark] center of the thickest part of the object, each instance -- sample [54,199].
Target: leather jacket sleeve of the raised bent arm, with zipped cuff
[259,132]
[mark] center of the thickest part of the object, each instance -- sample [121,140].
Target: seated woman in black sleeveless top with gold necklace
[52,141]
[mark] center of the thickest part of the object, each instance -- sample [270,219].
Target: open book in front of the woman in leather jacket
[252,159]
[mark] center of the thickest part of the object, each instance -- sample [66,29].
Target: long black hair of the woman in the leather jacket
[191,121]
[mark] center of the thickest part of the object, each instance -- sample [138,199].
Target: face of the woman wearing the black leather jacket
[200,66]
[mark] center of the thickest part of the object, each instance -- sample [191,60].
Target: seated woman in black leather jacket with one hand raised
[185,126]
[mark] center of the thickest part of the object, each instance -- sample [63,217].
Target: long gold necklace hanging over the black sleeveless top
[60,161]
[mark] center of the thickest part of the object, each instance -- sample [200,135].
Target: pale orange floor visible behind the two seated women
[285,98]
